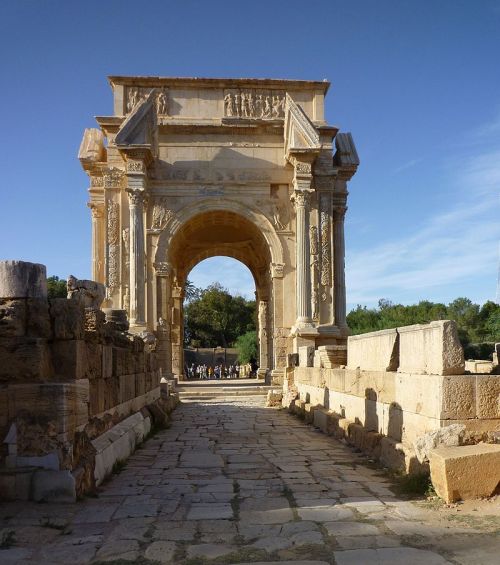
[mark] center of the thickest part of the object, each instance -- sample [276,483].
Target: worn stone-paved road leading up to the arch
[233,482]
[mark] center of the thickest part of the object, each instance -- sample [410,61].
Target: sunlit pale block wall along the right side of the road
[386,412]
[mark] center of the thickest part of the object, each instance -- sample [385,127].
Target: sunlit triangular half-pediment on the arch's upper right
[300,134]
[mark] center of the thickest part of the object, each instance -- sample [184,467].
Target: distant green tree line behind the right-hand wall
[478,326]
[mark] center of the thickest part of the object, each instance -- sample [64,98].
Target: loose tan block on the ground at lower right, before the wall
[465,472]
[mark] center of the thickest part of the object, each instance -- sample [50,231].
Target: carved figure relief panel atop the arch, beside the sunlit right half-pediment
[254,103]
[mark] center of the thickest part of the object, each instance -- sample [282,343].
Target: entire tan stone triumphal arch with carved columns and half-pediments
[190,168]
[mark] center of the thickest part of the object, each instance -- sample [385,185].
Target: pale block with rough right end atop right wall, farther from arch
[431,349]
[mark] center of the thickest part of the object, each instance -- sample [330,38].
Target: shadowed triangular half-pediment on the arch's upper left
[139,129]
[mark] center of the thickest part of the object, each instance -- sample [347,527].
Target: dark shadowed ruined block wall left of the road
[67,375]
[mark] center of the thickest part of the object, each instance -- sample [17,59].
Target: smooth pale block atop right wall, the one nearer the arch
[374,351]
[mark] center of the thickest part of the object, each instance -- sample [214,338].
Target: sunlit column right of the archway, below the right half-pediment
[301,199]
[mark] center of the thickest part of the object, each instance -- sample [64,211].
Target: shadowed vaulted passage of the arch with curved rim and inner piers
[208,230]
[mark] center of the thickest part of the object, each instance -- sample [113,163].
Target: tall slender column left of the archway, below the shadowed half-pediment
[137,258]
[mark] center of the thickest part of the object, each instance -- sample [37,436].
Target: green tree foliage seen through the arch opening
[213,317]
